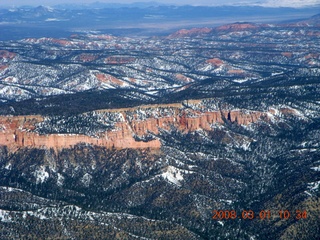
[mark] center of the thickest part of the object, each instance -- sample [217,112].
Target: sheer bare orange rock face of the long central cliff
[19,131]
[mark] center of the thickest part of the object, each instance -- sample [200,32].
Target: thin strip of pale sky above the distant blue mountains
[269,3]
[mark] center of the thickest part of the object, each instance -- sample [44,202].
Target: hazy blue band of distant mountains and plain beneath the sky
[144,19]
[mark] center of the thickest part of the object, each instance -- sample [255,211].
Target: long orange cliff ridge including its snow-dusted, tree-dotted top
[128,128]
